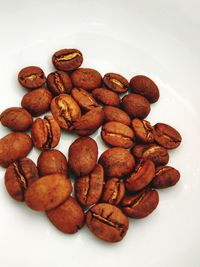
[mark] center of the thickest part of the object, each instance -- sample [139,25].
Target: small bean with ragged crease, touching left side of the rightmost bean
[143,130]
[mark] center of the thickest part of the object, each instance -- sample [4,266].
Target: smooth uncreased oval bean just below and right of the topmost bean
[86,78]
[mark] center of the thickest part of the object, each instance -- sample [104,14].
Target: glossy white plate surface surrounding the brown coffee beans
[158,38]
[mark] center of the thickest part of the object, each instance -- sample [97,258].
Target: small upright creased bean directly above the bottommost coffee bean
[113,191]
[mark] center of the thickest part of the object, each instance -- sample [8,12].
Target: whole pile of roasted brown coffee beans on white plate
[122,183]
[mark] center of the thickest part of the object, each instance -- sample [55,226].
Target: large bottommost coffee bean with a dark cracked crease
[107,222]
